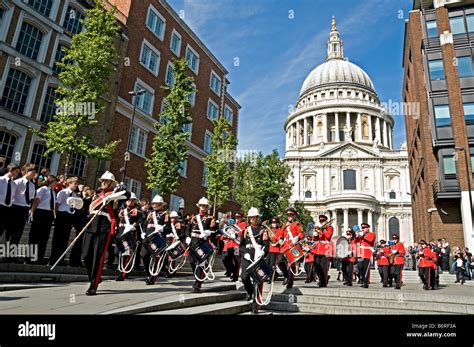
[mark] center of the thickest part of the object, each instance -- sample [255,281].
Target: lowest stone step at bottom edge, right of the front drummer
[323,309]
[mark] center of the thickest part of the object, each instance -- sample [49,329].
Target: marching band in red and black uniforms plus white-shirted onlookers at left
[256,251]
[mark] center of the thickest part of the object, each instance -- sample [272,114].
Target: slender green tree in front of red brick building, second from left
[169,144]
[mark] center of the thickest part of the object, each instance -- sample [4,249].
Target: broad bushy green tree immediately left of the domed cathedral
[262,182]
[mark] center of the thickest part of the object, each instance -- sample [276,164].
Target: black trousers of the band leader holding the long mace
[94,249]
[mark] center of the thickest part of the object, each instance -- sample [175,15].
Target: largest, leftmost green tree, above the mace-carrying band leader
[86,68]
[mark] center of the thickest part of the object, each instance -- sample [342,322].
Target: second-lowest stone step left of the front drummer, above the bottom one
[211,295]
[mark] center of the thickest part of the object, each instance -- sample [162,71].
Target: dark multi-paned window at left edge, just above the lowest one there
[16,91]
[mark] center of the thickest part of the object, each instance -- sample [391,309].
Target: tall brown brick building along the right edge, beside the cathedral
[439,79]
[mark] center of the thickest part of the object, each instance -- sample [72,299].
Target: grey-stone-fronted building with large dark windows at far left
[32,34]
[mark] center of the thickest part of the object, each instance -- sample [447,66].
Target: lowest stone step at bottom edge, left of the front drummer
[224,308]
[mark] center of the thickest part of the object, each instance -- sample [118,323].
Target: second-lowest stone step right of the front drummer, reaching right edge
[388,305]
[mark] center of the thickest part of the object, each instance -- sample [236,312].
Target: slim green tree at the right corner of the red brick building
[220,169]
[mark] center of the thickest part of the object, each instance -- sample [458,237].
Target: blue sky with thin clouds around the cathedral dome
[278,42]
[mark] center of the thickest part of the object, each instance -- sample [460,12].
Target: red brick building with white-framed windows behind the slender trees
[156,36]
